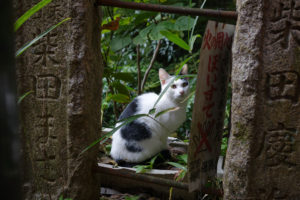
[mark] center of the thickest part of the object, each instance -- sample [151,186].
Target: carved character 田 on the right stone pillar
[283,85]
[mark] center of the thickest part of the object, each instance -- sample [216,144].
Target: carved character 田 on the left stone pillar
[48,87]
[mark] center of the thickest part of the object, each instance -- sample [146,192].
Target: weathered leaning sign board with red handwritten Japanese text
[209,106]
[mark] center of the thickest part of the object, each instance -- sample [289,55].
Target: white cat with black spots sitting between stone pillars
[144,137]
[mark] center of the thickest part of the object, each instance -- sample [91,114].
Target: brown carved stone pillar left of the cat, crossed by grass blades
[61,115]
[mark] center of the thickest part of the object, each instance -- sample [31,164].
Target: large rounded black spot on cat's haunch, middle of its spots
[135,131]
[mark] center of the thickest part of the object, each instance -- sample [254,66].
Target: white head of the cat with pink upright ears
[179,89]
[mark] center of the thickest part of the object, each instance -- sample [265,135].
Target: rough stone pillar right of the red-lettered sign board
[263,158]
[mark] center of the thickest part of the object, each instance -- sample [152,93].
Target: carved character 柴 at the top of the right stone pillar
[285,22]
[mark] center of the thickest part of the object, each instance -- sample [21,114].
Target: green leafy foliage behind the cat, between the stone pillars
[132,46]
